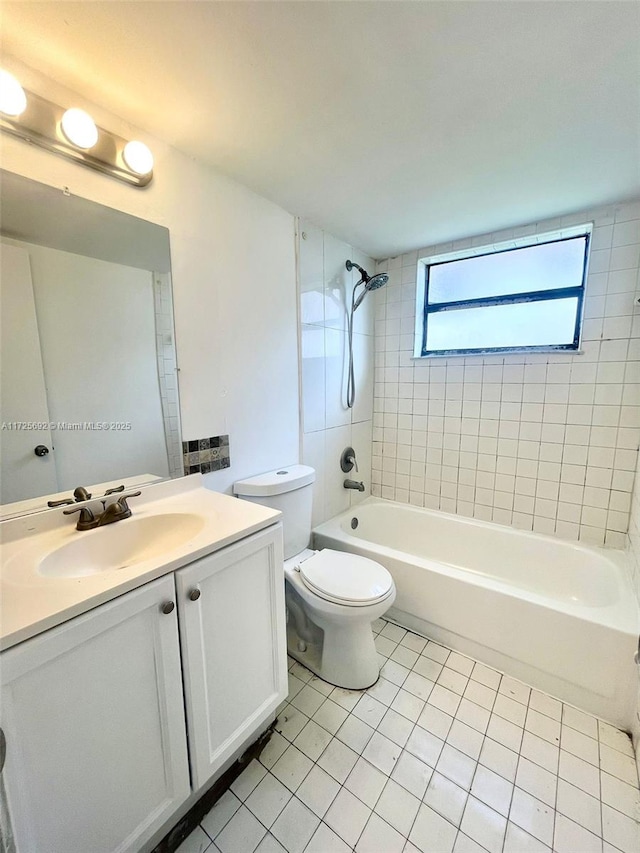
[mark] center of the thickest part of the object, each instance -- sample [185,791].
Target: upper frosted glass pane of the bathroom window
[547,266]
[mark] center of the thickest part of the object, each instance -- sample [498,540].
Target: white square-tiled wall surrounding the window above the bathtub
[544,442]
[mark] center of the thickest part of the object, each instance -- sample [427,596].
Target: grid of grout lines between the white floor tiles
[401,747]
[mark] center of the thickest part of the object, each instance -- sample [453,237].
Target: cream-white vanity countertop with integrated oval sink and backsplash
[50,572]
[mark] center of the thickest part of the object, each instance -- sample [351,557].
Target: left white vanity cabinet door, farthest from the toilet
[93,716]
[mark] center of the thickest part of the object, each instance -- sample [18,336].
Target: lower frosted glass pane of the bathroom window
[516,325]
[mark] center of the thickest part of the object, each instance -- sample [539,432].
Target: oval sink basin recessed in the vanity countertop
[120,545]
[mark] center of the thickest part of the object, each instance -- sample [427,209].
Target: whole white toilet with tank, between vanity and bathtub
[332,596]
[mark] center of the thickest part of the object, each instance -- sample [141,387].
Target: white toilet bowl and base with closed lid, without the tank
[332,599]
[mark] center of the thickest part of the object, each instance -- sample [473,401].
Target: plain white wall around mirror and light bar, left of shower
[233,272]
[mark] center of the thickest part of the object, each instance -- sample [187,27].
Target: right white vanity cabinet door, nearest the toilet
[234,656]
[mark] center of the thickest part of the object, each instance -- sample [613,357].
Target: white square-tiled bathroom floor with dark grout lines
[442,755]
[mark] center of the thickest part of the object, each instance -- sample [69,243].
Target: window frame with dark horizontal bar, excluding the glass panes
[575,291]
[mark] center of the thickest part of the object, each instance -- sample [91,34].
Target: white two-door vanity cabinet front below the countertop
[98,749]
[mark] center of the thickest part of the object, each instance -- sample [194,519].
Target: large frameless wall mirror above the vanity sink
[88,374]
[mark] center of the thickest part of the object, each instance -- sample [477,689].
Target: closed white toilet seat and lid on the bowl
[345,578]
